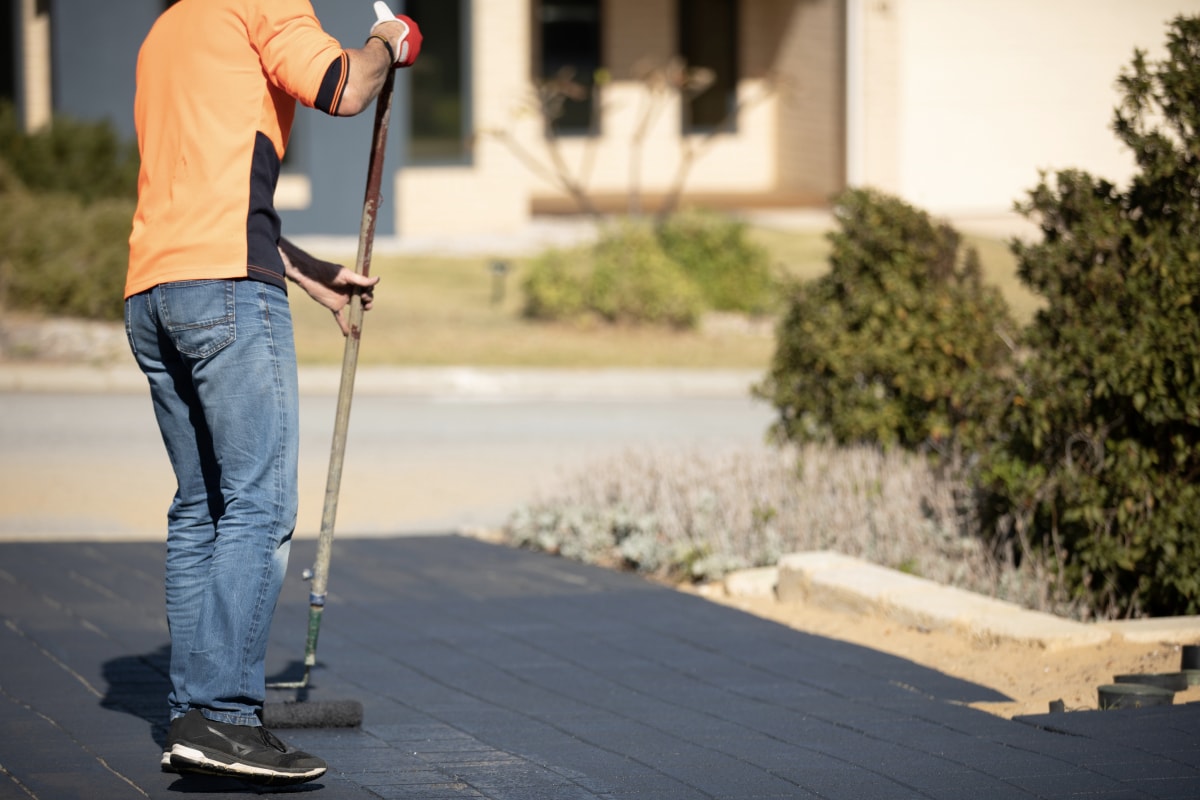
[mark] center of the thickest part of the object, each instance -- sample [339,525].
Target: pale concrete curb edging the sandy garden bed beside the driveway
[848,585]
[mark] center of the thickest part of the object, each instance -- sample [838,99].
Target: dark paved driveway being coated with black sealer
[495,673]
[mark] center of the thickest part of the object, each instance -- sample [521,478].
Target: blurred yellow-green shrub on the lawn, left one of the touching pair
[626,278]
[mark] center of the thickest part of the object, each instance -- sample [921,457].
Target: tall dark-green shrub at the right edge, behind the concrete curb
[1097,460]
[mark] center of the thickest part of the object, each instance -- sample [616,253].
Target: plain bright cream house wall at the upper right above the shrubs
[964,103]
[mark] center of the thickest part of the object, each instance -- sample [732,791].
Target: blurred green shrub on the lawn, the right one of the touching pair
[733,273]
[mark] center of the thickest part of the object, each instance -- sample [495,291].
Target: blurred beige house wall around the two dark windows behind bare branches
[788,141]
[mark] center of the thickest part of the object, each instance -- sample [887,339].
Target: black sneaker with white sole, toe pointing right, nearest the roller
[251,754]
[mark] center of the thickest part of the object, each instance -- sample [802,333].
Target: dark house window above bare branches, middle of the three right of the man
[571,41]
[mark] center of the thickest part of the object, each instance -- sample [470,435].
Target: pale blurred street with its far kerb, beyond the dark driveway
[429,450]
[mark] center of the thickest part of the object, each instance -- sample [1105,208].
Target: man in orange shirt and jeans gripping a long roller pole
[208,321]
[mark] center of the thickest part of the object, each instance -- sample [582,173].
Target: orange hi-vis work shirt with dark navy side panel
[218,83]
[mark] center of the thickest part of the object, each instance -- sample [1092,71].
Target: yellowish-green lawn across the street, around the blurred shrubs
[443,311]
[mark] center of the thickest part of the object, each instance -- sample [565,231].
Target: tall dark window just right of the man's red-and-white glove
[439,89]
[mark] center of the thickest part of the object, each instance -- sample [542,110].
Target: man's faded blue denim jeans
[220,358]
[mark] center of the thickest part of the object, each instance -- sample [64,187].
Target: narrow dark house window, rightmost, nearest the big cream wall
[709,35]
